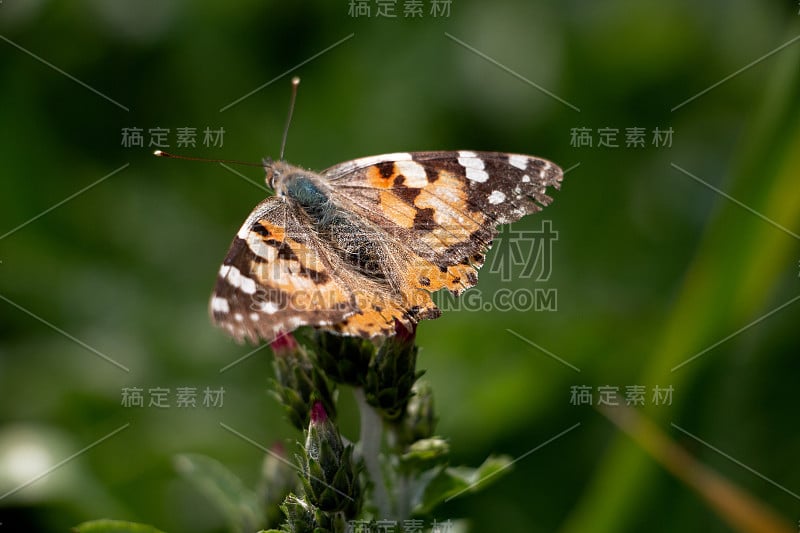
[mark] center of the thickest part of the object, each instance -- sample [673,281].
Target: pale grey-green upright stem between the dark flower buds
[370,443]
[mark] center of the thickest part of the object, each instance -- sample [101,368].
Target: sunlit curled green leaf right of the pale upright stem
[441,484]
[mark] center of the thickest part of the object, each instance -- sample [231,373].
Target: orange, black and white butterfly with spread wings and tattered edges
[361,246]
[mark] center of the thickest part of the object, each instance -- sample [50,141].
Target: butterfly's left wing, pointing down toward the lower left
[277,276]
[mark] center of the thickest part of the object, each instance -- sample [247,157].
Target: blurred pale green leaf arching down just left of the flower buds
[236,502]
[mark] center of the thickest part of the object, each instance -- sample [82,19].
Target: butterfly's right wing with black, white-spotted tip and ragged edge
[444,207]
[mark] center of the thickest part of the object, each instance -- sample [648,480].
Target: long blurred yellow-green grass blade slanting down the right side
[727,286]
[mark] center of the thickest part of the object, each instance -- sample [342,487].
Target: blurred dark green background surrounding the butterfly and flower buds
[651,266]
